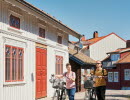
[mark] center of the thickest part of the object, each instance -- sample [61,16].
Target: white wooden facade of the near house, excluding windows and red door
[26,38]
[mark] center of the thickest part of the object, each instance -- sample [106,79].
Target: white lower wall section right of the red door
[51,61]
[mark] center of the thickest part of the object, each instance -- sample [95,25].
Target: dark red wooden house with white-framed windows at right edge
[118,67]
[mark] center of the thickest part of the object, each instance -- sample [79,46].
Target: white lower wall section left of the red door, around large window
[18,90]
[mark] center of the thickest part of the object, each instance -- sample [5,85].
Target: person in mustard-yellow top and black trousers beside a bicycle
[100,82]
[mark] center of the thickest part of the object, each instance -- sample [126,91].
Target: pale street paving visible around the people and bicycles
[110,95]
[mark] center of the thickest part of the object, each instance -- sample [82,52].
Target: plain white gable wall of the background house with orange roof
[111,43]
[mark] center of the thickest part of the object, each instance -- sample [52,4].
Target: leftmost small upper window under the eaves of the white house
[14,22]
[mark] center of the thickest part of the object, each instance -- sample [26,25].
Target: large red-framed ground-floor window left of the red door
[13,64]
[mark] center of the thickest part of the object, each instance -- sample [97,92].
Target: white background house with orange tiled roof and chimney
[97,47]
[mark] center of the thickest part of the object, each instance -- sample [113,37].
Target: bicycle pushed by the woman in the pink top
[60,88]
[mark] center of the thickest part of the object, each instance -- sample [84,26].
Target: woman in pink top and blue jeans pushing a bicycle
[70,81]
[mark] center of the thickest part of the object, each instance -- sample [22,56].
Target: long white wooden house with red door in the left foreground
[33,45]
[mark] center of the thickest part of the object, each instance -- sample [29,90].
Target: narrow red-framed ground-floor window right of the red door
[59,64]
